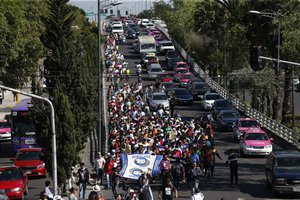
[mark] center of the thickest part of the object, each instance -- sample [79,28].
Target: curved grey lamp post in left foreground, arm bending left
[54,162]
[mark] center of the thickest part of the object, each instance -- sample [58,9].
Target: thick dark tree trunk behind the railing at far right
[287,98]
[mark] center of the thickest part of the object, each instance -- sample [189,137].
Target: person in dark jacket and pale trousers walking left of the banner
[84,178]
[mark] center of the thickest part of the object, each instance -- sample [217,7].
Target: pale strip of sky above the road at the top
[132,6]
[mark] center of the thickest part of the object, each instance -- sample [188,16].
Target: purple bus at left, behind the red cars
[23,134]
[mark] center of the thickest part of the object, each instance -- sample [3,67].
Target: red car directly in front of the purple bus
[29,159]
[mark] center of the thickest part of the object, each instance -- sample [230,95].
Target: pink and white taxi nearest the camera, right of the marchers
[255,142]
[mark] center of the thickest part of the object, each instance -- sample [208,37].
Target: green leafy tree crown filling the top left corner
[20,47]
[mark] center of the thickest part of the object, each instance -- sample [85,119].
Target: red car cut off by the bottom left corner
[13,182]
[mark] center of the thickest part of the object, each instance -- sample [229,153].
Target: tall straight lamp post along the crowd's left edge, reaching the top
[101,6]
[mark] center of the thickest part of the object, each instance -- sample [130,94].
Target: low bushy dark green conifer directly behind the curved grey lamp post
[66,138]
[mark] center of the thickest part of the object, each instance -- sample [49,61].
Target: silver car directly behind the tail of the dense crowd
[158,98]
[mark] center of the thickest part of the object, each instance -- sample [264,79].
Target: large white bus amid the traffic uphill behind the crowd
[146,44]
